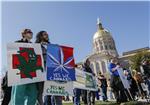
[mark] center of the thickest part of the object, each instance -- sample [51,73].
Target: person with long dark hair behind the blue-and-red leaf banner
[42,37]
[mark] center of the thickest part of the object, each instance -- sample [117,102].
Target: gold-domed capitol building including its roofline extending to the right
[104,49]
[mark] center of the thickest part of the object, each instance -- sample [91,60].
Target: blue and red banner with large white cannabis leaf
[60,63]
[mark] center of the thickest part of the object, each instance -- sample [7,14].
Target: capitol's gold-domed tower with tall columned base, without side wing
[103,49]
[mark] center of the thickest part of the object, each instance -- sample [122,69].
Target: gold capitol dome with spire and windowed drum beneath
[103,41]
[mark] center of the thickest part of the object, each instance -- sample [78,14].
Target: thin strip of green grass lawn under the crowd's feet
[114,103]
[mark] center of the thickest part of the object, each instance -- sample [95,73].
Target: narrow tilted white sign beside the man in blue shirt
[123,78]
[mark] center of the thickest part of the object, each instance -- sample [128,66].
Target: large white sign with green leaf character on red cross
[25,63]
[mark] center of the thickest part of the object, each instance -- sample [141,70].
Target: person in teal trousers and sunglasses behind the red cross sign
[27,92]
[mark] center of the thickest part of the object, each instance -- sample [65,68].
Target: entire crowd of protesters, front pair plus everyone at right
[32,94]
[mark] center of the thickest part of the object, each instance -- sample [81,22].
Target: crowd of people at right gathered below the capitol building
[139,85]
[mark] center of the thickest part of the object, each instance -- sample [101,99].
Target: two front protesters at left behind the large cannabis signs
[30,94]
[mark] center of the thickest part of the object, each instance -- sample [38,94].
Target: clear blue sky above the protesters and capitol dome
[74,23]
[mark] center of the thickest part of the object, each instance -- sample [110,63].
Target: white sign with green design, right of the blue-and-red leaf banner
[85,81]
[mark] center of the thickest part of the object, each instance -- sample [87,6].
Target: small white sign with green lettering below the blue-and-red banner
[58,88]
